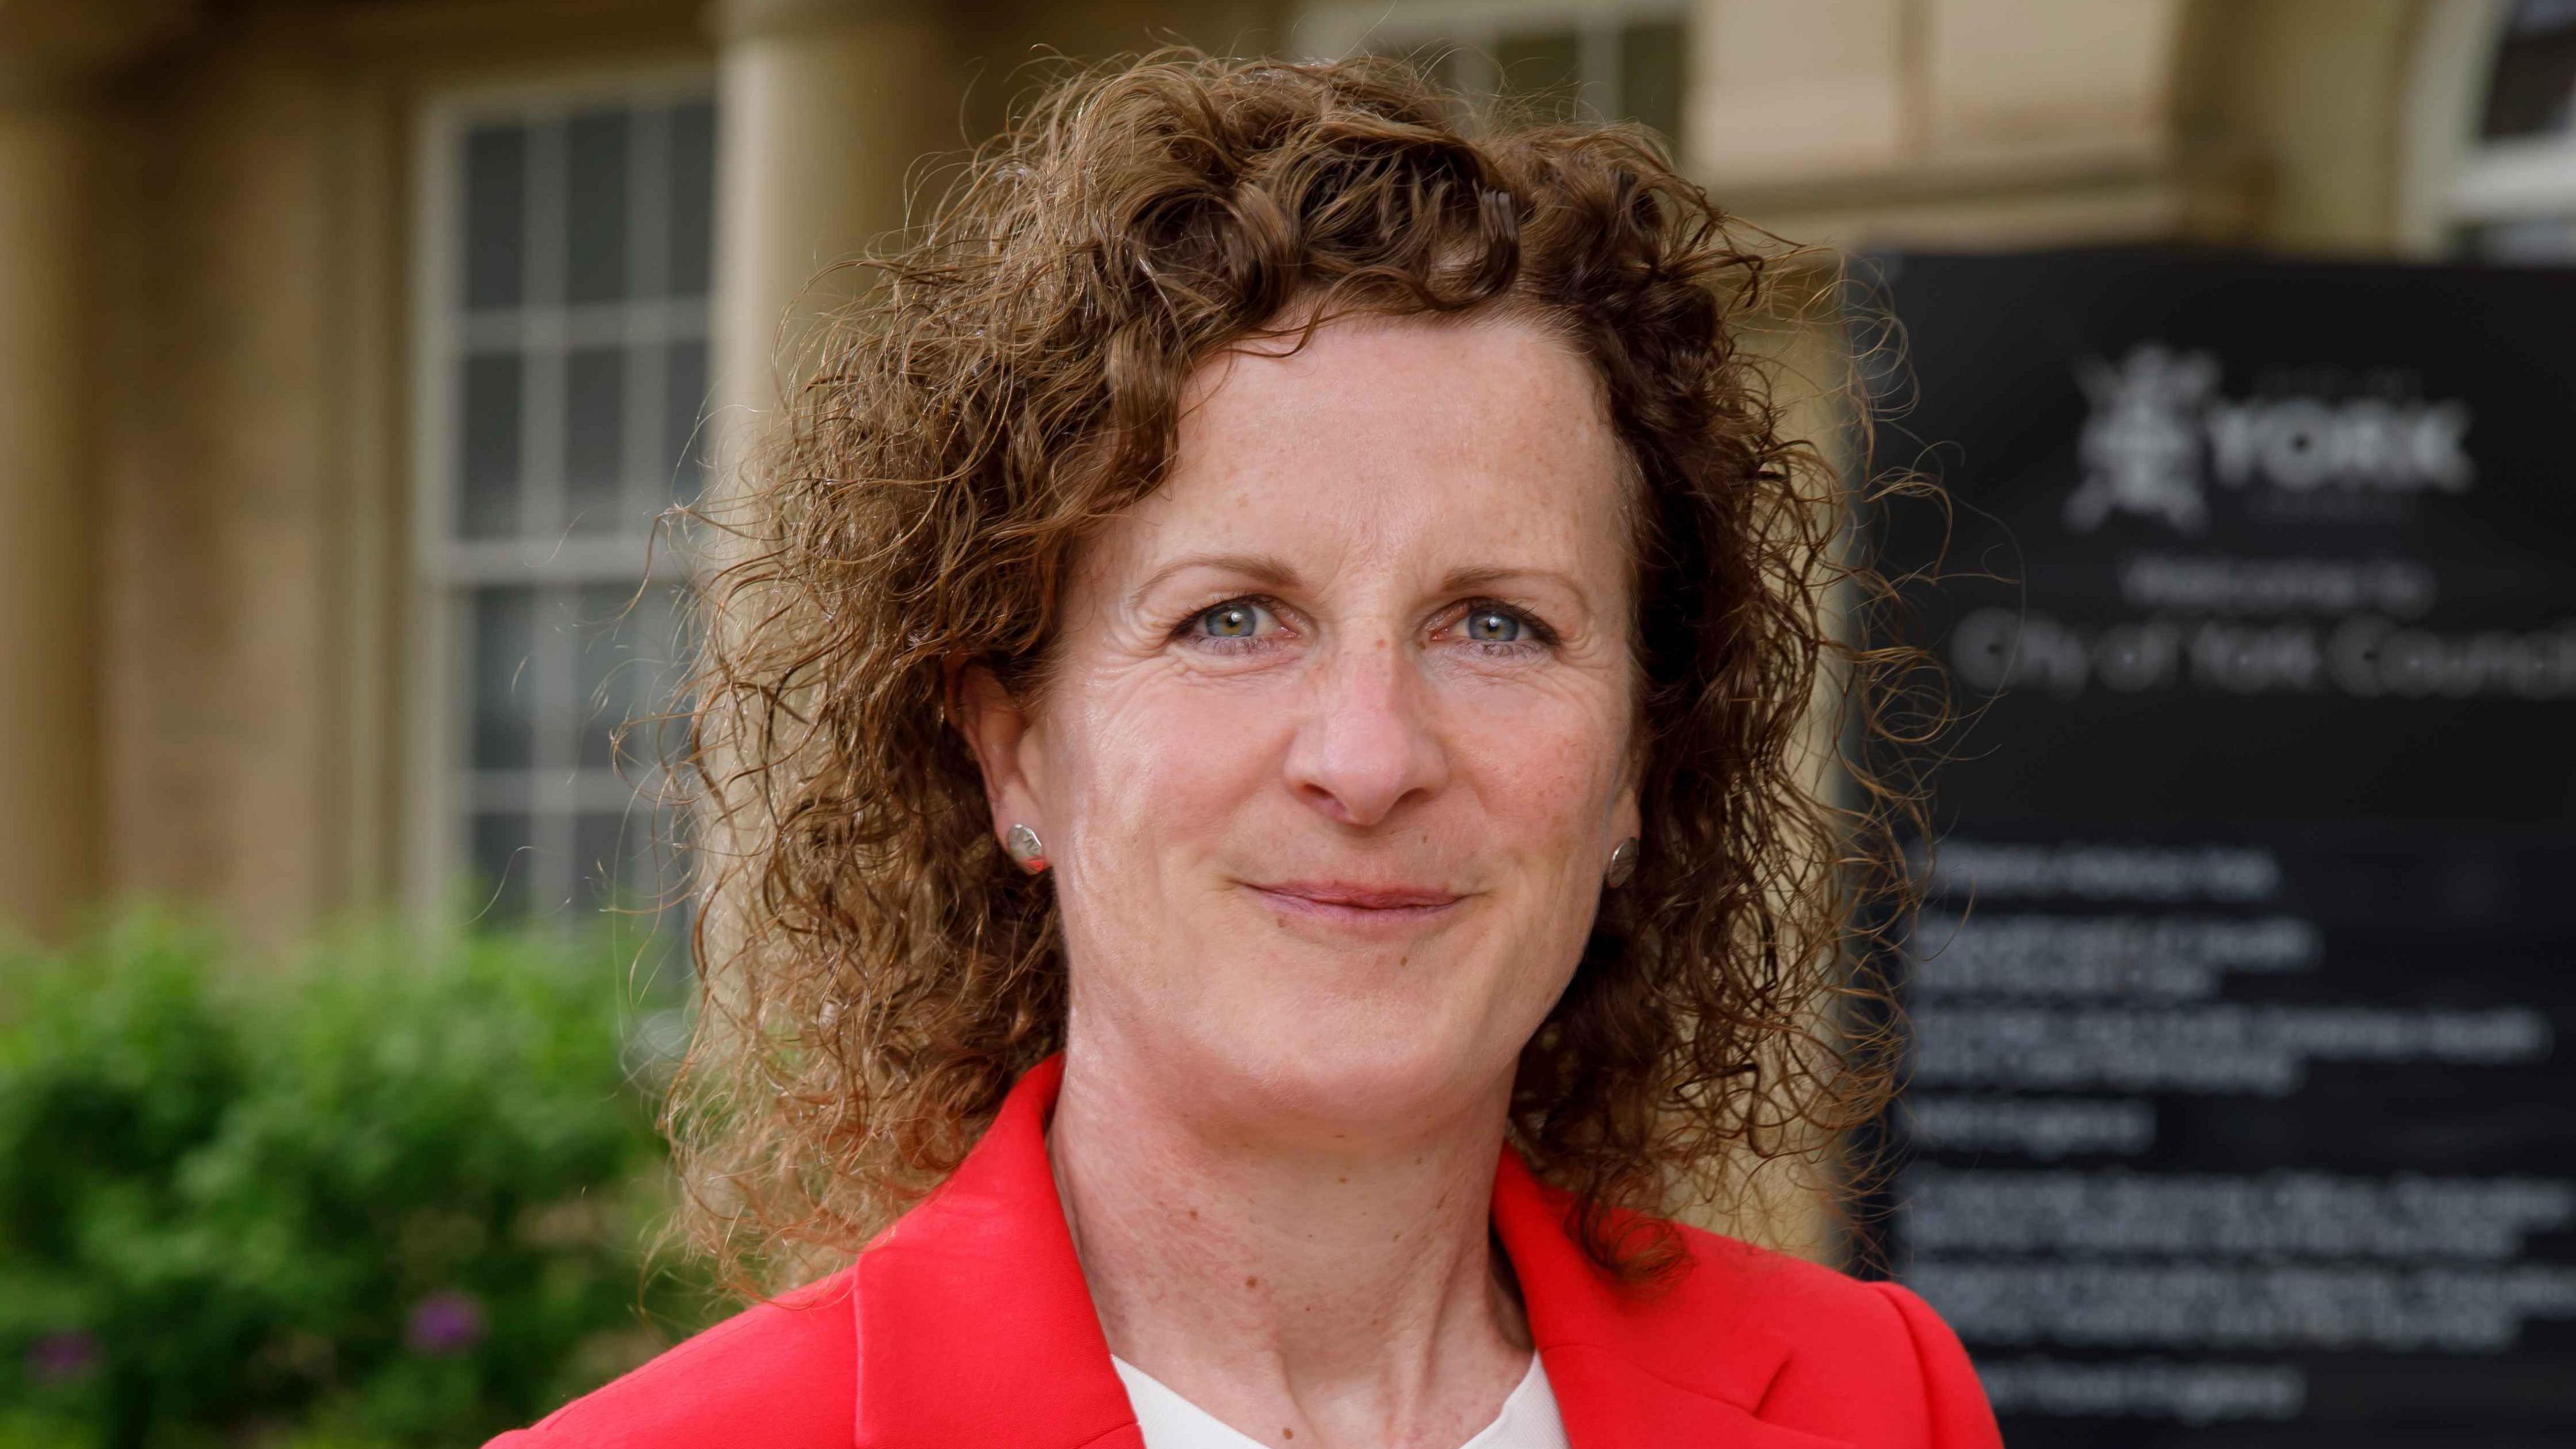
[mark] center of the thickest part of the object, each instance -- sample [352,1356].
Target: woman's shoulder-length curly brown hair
[877,973]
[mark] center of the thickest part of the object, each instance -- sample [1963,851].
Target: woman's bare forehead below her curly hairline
[1480,445]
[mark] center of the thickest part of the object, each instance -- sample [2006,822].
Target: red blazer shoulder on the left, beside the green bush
[782,1376]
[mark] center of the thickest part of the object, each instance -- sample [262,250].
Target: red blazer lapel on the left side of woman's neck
[975,1329]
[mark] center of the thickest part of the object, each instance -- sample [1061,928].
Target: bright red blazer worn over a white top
[967,1327]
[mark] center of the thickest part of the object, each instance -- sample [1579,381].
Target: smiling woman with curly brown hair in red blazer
[1258,788]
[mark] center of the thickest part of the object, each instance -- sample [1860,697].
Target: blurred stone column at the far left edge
[50,713]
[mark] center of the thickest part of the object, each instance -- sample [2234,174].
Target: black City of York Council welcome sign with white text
[2245,1002]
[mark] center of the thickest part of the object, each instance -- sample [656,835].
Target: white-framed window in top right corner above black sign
[2513,192]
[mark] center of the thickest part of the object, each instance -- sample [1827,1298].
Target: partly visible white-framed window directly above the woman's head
[1624,61]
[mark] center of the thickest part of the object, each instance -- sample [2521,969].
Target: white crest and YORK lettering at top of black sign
[2163,434]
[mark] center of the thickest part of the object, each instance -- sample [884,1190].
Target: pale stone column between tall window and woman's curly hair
[828,107]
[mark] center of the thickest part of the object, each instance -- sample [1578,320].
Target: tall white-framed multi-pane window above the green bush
[563,318]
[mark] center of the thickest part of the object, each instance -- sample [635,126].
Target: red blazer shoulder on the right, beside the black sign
[1856,1360]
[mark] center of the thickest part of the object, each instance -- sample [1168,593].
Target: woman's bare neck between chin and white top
[1318,1290]
